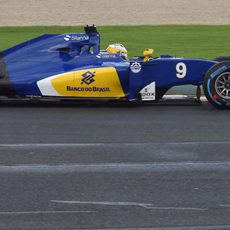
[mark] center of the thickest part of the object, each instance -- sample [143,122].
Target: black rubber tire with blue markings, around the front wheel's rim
[209,85]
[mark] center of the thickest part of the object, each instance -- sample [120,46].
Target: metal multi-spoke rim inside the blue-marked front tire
[222,85]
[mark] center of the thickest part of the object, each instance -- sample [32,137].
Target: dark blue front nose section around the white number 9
[163,71]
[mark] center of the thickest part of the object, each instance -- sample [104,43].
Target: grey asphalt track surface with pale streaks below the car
[82,166]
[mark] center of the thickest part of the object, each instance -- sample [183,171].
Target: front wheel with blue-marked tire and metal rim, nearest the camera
[217,85]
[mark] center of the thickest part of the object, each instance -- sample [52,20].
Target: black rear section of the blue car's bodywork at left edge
[6,88]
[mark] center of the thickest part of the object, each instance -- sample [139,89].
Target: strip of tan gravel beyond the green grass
[116,12]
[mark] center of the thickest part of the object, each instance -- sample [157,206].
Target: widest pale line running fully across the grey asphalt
[116,167]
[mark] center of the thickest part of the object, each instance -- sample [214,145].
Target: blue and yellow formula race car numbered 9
[72,66]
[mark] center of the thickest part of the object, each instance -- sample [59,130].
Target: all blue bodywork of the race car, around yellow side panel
[54,54]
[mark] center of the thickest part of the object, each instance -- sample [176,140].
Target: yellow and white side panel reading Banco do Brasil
[88,83]
